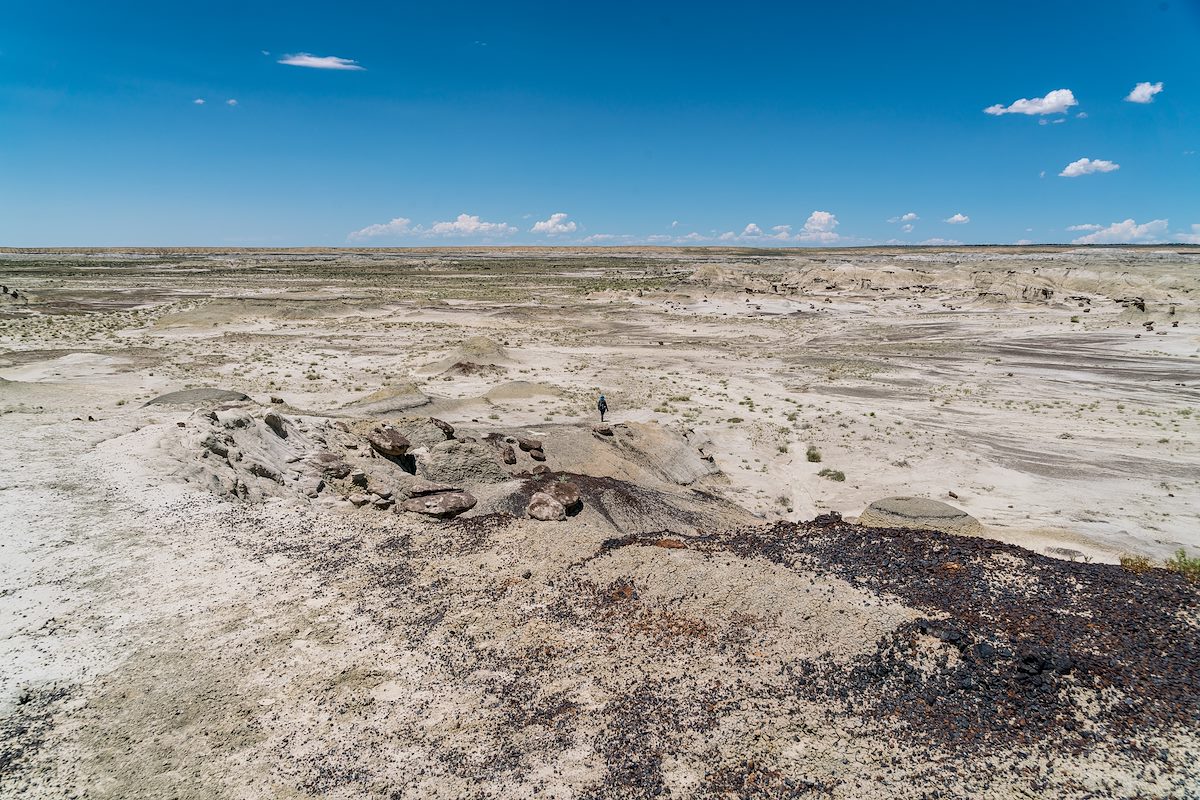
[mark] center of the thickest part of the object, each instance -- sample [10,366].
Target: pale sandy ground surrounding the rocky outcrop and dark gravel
[160,641]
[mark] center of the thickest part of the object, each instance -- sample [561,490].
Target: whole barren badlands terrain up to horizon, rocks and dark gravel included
[346,524]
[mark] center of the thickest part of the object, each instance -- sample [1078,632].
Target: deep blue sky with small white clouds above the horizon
[770,124]
